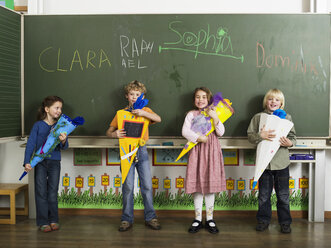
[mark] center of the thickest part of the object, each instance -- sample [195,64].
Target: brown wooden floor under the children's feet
[101,231]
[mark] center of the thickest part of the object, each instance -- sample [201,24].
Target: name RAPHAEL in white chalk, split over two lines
[131,52]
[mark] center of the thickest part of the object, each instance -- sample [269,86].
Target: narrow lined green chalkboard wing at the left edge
[10,73]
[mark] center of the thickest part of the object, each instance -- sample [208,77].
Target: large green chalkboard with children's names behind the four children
[87,60]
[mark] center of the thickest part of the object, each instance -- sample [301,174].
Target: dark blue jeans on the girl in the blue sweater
[47,177]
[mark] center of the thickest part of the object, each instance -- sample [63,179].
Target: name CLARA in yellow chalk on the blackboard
[50,60]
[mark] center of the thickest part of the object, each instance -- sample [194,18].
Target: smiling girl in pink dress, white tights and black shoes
[205,168]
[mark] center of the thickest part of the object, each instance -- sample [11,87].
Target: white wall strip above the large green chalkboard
[169,6]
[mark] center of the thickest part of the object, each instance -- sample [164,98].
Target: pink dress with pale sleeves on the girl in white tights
[205,168]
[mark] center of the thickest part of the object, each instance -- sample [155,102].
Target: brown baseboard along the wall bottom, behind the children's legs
[170,213]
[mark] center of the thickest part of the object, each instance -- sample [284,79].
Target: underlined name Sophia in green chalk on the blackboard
[203,42]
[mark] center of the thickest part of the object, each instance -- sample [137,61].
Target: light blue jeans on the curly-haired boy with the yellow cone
[146,188]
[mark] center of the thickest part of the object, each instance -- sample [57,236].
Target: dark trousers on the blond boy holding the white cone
[279,179]
